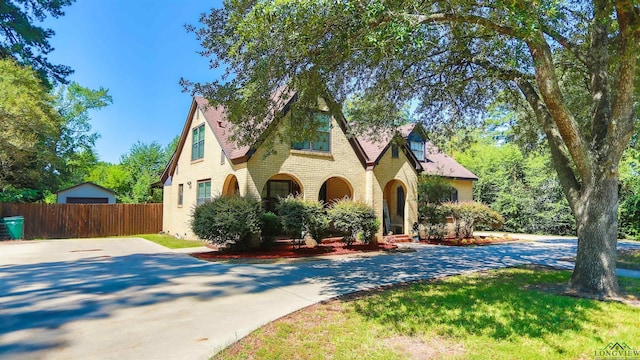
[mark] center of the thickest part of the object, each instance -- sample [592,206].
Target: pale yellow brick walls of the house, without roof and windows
[340,169]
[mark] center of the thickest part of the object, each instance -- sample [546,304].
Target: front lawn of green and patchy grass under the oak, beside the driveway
[497,315]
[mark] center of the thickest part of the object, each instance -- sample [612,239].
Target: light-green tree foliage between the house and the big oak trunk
[520,186]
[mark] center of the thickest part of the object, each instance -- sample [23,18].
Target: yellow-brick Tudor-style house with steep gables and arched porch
[382,173]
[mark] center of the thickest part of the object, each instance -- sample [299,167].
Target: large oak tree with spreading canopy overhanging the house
[572,62]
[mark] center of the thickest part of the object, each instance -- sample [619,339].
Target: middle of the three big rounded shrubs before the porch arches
[299,215]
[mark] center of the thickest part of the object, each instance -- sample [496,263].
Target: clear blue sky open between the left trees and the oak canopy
[139,50]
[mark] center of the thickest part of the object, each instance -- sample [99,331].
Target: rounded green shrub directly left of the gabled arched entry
[354,218]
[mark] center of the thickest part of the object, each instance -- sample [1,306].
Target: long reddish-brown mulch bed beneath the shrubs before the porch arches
[287,250]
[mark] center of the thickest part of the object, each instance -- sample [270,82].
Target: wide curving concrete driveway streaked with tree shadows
[132,299]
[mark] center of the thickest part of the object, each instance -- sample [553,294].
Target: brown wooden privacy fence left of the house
[54,221]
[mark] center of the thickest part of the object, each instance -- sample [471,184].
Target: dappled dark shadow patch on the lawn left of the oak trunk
[485,304]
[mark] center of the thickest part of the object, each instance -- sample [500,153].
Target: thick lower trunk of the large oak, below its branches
[597,222]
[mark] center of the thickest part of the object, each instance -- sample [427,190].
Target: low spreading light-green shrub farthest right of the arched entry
[467,214]
